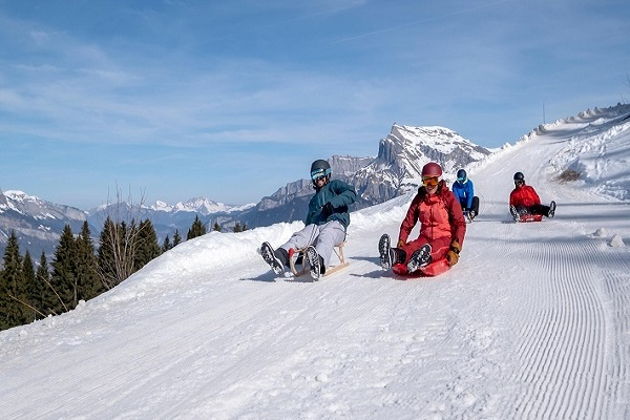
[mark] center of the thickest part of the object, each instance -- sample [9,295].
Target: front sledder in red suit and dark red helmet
[442,226]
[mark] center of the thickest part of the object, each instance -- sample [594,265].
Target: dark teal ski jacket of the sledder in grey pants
[340,195]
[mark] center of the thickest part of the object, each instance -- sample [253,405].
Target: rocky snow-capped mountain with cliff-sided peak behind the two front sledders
[396,169]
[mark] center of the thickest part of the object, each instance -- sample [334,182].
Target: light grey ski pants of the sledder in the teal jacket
[324,237]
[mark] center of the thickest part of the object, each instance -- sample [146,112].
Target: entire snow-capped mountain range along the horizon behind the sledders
[394,171]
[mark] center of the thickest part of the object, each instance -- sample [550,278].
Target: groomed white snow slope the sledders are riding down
[534,322]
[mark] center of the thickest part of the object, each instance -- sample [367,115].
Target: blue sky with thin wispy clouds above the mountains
[232,99]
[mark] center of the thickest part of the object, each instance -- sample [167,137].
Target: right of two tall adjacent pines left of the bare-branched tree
[86,270]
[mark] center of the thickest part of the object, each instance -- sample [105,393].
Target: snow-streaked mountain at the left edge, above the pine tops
[37,223]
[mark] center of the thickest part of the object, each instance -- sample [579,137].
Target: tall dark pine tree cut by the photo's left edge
[13,312]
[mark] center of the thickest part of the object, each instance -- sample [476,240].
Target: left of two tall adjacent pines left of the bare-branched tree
[64,279]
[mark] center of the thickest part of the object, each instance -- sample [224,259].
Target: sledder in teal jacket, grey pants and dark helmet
[326,223]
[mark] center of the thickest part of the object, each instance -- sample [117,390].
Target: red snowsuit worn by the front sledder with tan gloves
[441,218]
